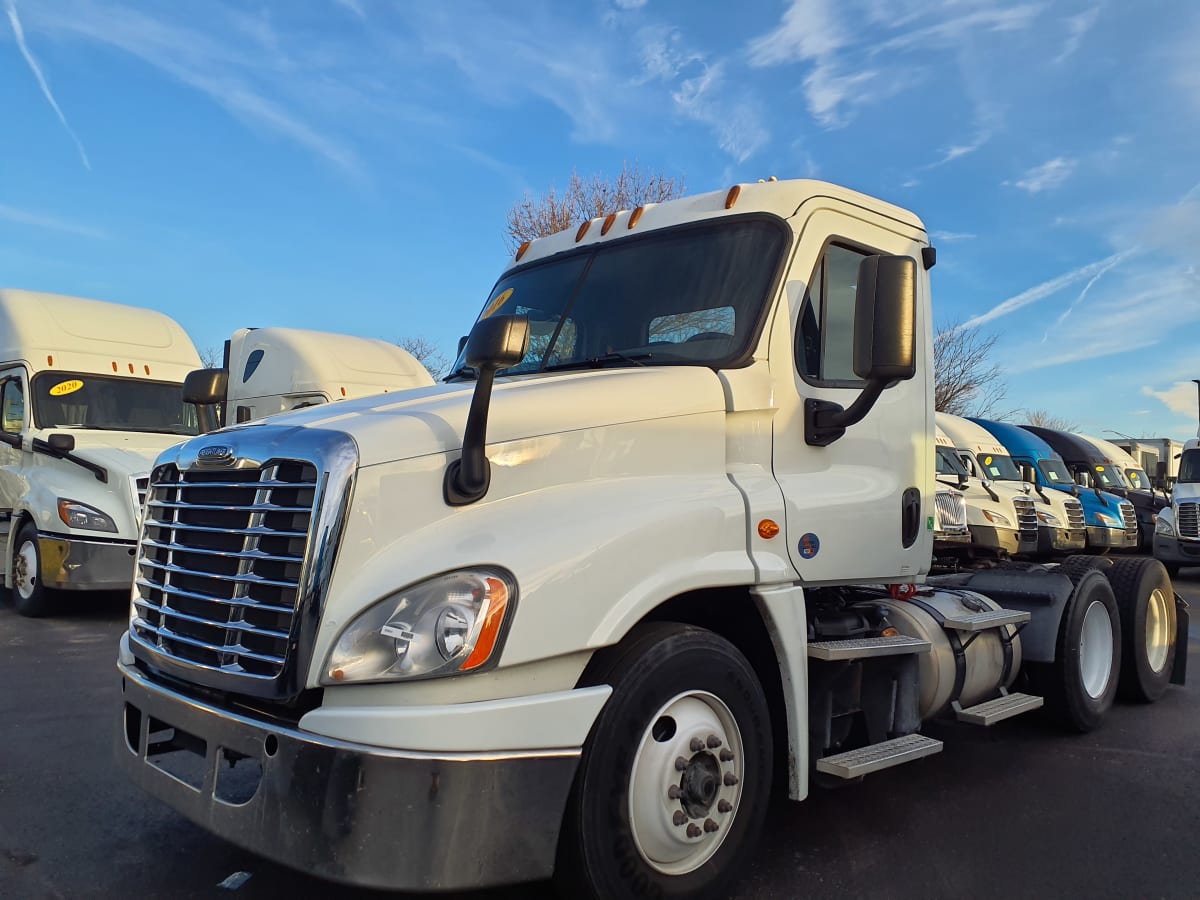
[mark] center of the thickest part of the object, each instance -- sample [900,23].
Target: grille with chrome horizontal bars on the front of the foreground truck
[220,565]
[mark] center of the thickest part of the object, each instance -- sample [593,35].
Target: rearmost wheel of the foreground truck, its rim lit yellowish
[1148,628]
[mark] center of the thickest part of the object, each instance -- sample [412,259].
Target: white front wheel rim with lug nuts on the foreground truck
[686,784]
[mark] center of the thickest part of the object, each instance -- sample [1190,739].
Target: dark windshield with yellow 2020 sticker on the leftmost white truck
[67,400]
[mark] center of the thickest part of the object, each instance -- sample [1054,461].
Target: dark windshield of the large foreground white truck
[687,296]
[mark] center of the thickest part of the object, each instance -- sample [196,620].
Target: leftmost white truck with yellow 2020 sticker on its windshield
[91,394]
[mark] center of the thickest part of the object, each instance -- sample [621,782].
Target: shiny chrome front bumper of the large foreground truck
[350,813]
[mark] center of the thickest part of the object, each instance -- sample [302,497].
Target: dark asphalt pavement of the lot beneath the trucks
[1018,811]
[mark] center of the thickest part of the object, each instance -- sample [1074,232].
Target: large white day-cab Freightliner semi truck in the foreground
[667,525]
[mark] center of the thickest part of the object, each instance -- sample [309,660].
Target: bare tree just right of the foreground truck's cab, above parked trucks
[967,382]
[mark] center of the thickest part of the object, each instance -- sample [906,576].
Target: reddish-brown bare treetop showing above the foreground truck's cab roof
[585,200]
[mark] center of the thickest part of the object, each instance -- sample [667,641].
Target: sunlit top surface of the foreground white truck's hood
[431,421]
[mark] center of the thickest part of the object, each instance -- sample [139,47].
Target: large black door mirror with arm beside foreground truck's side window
[885,345]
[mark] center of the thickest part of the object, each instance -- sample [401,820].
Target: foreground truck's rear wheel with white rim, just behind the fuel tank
[1081,685]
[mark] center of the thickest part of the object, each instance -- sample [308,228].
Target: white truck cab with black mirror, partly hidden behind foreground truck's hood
[273,370]
